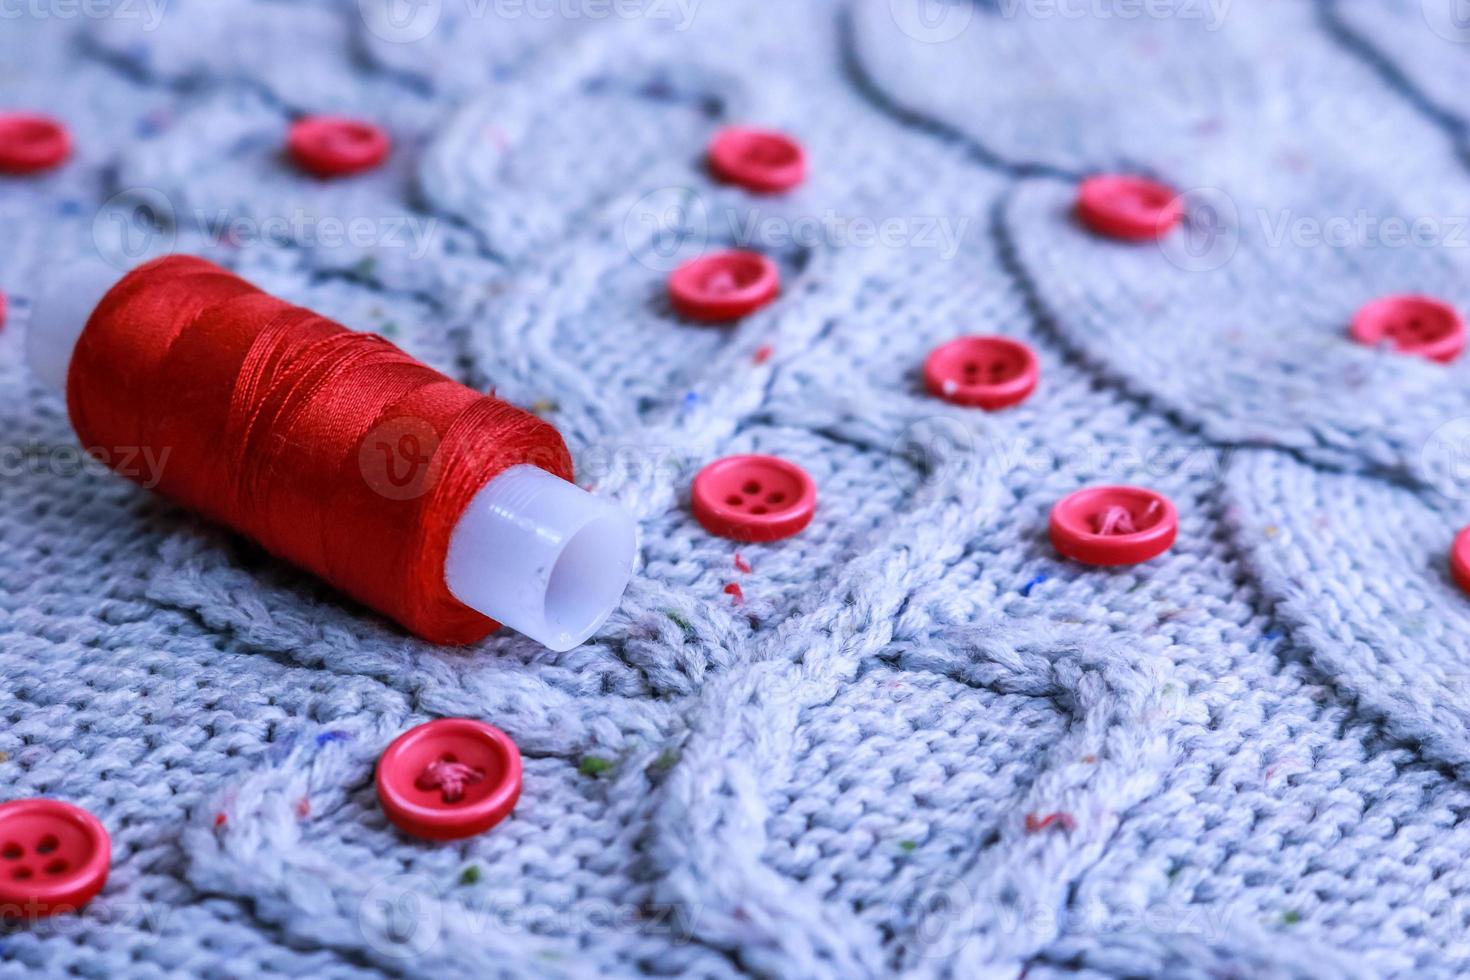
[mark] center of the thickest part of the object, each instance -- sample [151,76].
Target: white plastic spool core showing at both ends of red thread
[531,552]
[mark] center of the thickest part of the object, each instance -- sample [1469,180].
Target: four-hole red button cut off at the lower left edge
[54,859]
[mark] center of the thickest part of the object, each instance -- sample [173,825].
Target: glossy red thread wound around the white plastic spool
[331,449]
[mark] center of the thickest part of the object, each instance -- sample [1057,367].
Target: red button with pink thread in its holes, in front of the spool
[449,779]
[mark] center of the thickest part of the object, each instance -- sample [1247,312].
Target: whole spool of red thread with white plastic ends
[445,509]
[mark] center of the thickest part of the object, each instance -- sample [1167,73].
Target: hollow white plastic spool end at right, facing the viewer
[542,556]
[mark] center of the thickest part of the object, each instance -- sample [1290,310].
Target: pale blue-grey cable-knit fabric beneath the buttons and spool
[914,740]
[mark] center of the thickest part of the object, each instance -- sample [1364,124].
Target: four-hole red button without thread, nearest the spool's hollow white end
[755,499]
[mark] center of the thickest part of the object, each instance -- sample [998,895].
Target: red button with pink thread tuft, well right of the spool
[1114,525]
